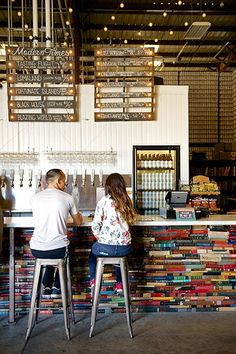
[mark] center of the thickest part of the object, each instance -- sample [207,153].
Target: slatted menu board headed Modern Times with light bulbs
[41,84]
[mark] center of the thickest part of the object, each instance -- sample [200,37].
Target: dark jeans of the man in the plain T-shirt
[50,276]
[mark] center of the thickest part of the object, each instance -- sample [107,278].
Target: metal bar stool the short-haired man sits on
[66,292]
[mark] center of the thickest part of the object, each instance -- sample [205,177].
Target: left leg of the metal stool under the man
[31,319]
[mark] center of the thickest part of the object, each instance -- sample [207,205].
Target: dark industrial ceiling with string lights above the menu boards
[186,35]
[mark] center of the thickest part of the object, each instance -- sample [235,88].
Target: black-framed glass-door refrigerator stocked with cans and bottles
[156,170]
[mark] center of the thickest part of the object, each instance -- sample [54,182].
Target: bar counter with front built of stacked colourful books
[175,266]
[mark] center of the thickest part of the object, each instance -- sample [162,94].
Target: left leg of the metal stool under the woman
[98,279]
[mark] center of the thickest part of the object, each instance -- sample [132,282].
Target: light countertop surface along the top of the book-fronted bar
[142,220]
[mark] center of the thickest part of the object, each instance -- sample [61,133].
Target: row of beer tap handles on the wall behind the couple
[21,172]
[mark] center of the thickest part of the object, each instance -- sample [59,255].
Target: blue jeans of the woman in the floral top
[103,250]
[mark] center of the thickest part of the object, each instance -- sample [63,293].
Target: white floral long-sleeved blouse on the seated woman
[108,225]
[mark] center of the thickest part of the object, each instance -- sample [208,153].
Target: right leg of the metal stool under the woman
[125,281]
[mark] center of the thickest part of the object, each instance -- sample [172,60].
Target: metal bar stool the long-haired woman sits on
[101,262]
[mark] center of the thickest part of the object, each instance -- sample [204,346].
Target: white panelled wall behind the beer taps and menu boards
[169,128]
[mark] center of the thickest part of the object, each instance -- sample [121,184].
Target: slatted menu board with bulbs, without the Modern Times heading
[124,84]
